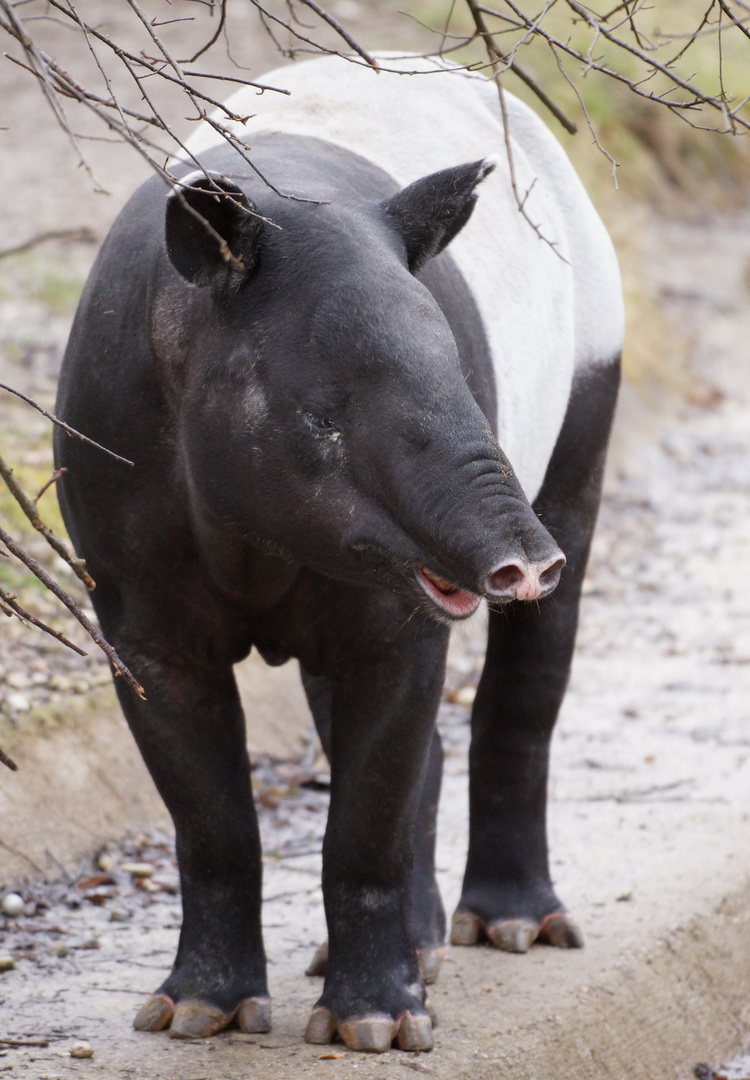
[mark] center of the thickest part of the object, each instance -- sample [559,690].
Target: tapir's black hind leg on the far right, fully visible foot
[508,896]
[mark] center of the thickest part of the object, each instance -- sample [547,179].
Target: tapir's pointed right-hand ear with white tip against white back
[431,212]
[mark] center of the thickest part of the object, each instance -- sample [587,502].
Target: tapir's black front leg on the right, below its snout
[383,719]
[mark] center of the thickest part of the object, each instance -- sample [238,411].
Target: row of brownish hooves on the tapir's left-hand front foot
[199,1020]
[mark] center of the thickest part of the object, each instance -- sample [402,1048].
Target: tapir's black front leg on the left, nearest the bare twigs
[191,732]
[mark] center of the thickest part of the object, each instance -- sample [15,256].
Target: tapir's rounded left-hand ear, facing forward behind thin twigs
[212,232]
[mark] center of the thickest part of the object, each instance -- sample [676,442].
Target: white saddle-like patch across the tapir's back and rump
[547,310]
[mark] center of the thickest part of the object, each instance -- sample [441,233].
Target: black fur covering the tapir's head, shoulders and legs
[304,434]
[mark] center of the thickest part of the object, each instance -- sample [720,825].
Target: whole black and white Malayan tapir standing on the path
[361,394]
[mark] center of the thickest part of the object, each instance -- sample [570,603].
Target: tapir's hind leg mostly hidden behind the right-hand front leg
[428,915]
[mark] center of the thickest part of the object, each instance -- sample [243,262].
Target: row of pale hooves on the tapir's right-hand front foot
[373,1034]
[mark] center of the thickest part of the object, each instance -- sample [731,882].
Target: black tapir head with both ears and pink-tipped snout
[324,411]
